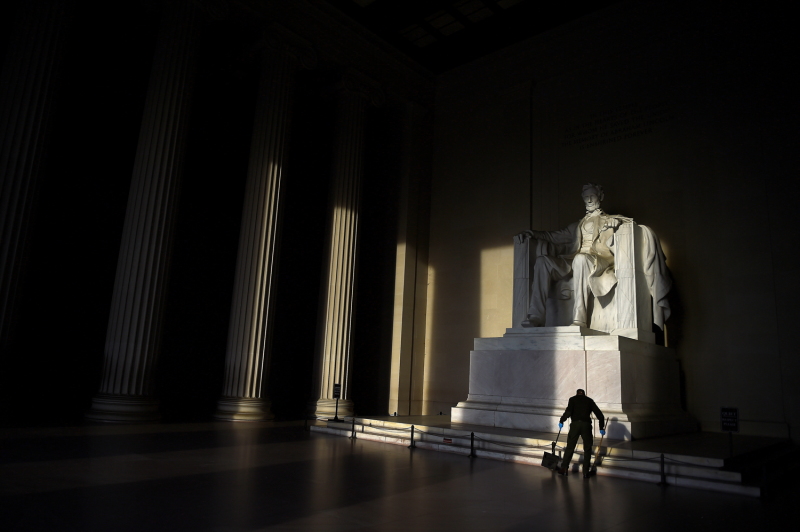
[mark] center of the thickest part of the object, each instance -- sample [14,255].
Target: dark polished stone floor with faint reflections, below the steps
[248,477]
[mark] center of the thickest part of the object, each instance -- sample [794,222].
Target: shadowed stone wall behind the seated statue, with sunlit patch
[682,116]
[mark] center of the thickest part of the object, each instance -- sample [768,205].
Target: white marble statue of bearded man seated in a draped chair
[603,272]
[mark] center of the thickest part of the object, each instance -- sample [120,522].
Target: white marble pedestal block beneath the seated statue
[525,379]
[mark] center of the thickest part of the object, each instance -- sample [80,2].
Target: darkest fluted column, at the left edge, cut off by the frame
[27,93]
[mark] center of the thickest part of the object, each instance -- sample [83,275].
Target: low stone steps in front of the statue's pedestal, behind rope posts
[693,472]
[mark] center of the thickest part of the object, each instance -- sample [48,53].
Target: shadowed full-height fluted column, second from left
[127,391]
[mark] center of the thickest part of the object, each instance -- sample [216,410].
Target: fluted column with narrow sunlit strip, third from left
[244,396]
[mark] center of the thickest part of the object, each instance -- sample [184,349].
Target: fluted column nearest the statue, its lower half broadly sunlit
[332,362]
